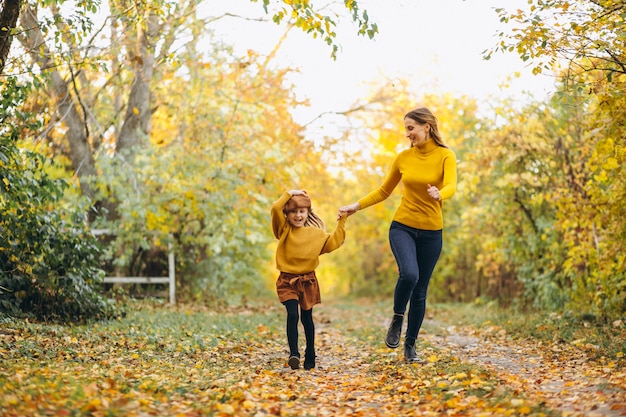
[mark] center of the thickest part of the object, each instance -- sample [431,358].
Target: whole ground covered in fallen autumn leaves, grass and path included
[195,362]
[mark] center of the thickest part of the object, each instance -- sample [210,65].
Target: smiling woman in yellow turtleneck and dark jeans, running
[428,172]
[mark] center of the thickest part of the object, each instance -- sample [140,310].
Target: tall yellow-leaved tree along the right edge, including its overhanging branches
[585,44]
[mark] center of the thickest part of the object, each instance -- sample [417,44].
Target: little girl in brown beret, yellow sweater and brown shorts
[301,240]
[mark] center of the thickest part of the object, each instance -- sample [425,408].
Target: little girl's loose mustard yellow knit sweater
[299,248]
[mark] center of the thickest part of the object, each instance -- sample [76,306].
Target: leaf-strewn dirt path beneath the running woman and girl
[371,380]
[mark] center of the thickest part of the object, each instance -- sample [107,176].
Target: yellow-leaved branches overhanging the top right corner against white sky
[583,36]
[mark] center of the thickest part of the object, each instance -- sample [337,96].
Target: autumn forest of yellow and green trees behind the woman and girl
[131,117]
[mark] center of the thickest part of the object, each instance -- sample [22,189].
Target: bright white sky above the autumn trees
[435,44]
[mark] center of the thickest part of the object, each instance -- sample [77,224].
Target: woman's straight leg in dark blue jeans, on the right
[429,244]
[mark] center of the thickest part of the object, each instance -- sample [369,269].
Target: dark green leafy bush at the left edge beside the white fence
[49,267]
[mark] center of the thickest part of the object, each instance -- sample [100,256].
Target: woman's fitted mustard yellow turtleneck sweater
[417,167]
